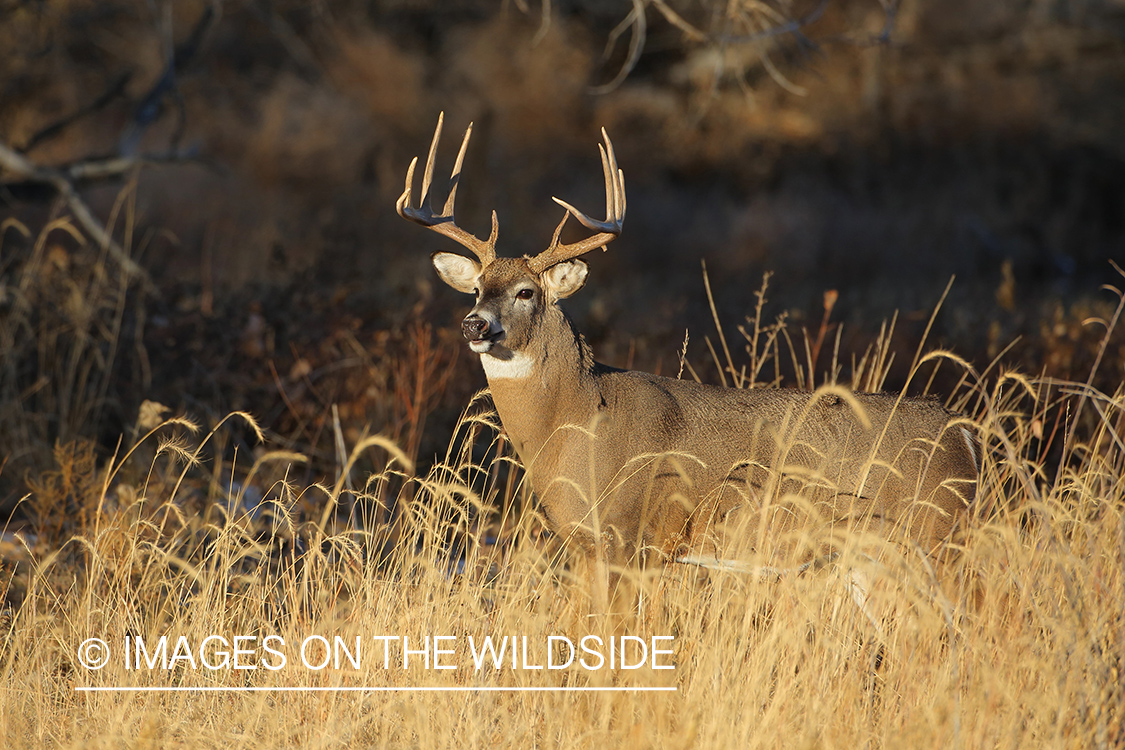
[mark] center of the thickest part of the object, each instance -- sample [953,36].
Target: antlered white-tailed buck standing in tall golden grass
[644,467]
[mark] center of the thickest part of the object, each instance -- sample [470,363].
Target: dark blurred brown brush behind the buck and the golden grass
[876,149]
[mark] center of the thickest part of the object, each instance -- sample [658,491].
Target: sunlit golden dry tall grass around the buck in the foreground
[1015,640]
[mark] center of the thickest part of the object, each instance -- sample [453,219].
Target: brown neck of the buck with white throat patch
[544,386]
